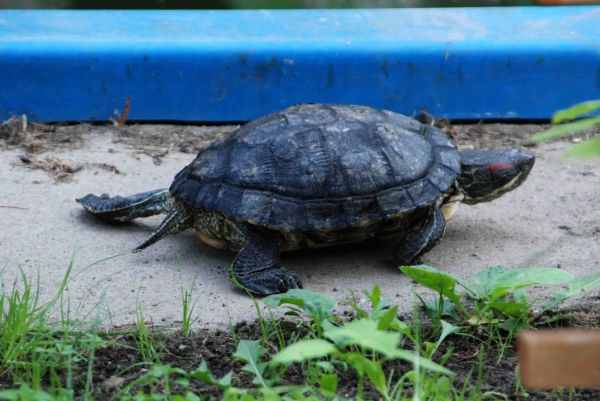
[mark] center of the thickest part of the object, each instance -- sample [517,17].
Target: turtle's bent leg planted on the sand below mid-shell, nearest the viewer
[257,269]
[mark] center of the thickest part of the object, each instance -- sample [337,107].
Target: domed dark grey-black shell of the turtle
[319,166]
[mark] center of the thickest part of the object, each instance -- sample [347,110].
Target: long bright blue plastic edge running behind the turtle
[471,63]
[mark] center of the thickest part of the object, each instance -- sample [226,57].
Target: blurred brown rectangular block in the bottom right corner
[559,358]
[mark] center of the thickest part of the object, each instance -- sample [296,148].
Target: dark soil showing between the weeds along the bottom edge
[497,367]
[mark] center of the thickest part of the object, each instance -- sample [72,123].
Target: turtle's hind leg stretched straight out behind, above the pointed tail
[126,208]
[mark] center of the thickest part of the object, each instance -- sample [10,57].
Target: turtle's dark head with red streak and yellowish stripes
[488,174]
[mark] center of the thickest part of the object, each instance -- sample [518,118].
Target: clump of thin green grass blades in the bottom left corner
[31,349]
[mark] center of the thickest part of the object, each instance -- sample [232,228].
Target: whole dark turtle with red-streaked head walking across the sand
[316,175]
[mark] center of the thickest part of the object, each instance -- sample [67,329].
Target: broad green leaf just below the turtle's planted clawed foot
[315,304]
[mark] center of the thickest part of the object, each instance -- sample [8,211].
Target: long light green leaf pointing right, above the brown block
[518,278]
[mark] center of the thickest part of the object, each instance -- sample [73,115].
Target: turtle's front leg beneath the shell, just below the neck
[421,238]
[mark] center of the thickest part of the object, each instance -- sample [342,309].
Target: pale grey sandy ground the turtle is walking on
[553,220]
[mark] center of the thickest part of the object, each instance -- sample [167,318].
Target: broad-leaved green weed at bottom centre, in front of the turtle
[364,344]
